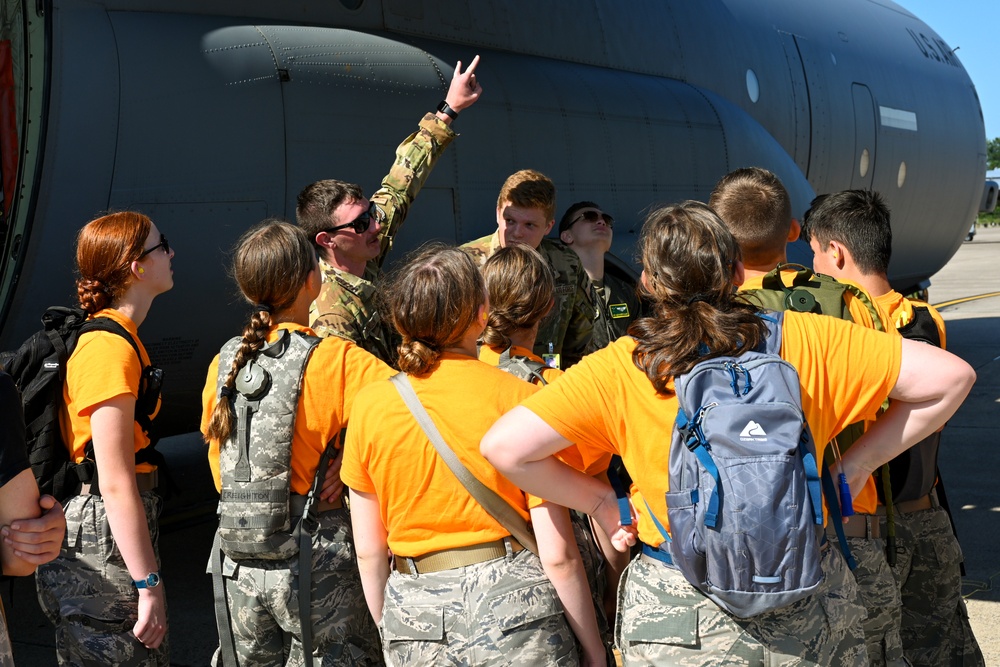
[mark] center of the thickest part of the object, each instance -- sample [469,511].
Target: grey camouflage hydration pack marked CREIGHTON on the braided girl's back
[255,518]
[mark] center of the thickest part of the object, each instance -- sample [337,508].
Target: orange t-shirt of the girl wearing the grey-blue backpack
[845,373]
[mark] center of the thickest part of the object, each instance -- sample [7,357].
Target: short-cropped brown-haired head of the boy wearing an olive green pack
[755,206]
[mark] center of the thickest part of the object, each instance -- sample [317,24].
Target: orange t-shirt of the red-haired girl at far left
[103,366]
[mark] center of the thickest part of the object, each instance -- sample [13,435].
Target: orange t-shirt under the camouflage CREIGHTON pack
[336,371]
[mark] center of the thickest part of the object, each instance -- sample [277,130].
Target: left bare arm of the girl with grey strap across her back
[371,546]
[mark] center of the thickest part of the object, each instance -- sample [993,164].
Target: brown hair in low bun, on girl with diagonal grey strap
[432,300]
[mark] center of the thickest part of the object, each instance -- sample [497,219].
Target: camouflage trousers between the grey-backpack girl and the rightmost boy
[881,599]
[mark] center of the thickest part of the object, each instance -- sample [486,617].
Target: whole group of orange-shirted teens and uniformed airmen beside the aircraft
[422,564]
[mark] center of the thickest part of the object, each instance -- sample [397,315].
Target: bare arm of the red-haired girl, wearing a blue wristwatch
[111,426]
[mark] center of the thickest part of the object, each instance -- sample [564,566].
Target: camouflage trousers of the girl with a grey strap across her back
[501,612]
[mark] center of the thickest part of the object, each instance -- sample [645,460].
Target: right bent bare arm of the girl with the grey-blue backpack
[931,386]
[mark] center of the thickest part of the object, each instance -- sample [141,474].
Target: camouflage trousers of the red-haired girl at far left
[88,593]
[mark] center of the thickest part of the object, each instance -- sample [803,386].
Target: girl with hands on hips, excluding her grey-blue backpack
[621,400]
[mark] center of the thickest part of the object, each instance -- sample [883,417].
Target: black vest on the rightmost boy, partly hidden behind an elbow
[913,473]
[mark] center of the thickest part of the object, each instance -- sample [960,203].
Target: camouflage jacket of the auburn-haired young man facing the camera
[570,325]
